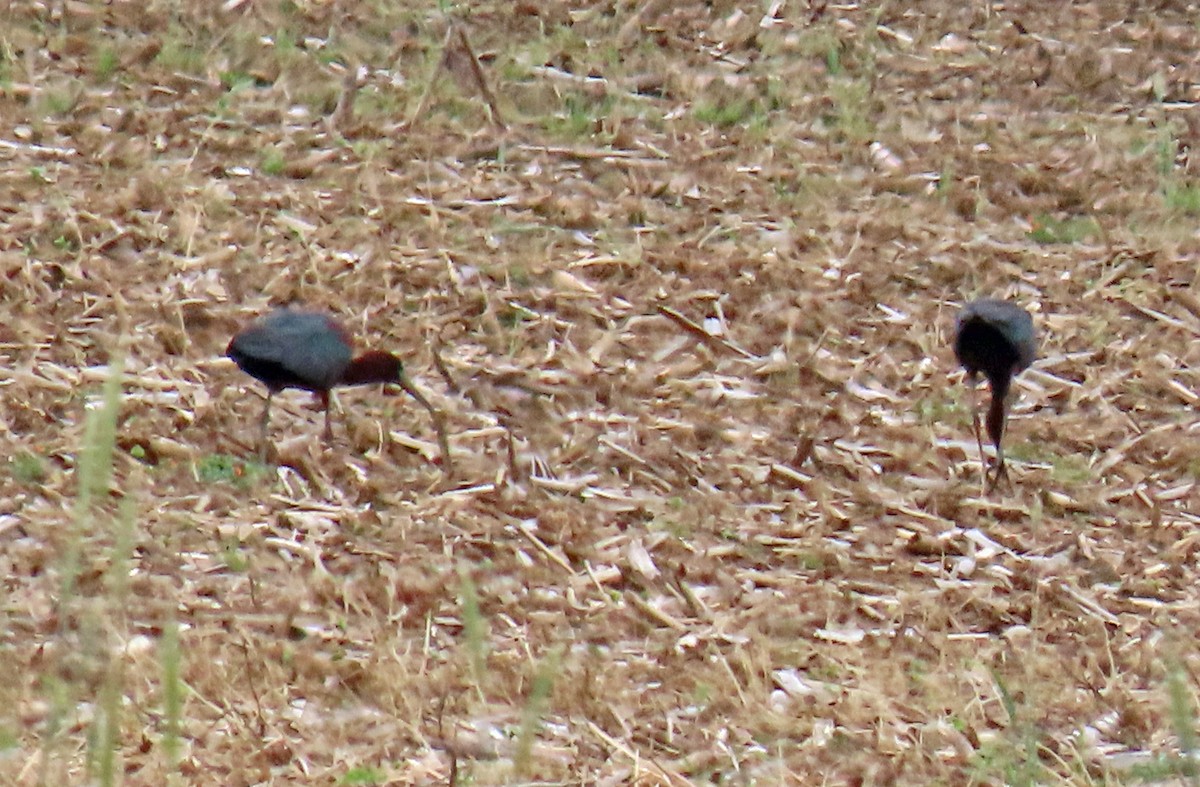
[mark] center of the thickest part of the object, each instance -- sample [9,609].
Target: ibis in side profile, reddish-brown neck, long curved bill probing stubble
[314,352]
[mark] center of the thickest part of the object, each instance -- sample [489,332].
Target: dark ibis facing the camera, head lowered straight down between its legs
[997,339]
